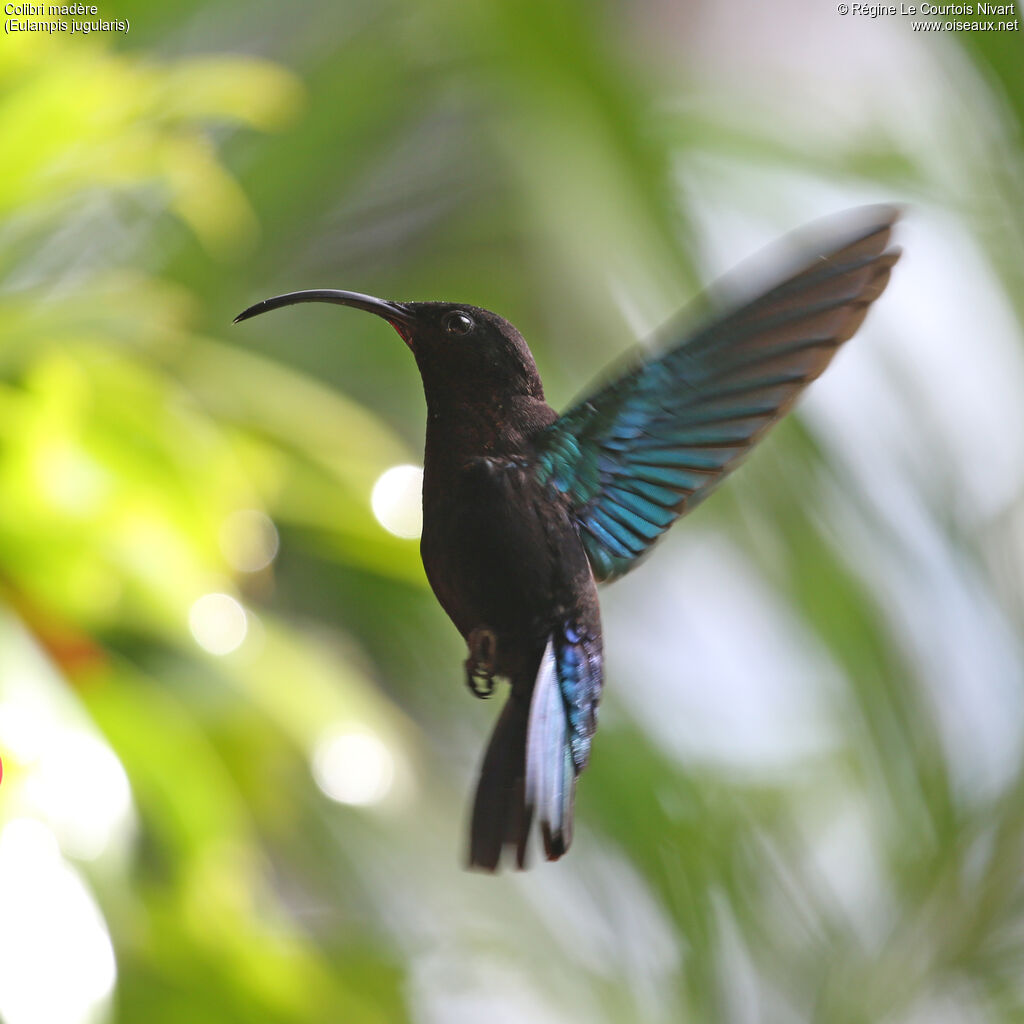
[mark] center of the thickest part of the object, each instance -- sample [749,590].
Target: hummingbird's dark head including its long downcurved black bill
[458,348]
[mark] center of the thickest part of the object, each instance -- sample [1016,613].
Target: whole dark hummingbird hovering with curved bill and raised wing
[526,511]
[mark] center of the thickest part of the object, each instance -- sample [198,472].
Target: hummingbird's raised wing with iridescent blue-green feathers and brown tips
[651,446]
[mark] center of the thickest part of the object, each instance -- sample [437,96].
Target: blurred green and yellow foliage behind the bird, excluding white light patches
[525,156]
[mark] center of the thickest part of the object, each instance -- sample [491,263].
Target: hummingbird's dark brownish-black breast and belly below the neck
[501,554]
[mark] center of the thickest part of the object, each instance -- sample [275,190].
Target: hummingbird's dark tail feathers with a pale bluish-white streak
[529,767]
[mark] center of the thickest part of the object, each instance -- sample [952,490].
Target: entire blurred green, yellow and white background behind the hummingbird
[237,746]
